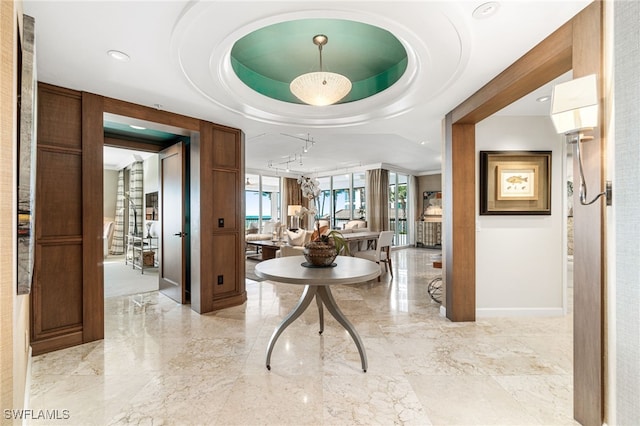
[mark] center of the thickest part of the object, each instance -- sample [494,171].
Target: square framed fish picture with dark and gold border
[515,182]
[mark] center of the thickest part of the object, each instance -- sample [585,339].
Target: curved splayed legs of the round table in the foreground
[323,296]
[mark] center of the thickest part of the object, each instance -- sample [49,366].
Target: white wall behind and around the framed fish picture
[520,259]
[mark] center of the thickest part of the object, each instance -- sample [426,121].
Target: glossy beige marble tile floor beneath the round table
[163,364]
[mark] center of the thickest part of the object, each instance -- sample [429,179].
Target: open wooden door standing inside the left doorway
[173,238]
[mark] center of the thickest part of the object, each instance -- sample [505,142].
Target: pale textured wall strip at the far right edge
[623,286]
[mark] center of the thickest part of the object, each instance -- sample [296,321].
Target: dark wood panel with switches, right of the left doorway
[217,177]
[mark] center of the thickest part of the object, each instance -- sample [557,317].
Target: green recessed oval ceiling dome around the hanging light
[268,59]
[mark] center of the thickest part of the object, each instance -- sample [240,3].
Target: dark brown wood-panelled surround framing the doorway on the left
[75,122]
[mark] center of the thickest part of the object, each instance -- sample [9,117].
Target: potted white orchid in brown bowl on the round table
[324,248]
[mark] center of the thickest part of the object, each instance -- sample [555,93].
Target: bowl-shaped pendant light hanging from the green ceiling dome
[320,88]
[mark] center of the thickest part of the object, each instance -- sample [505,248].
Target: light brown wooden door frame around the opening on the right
[576,46]
